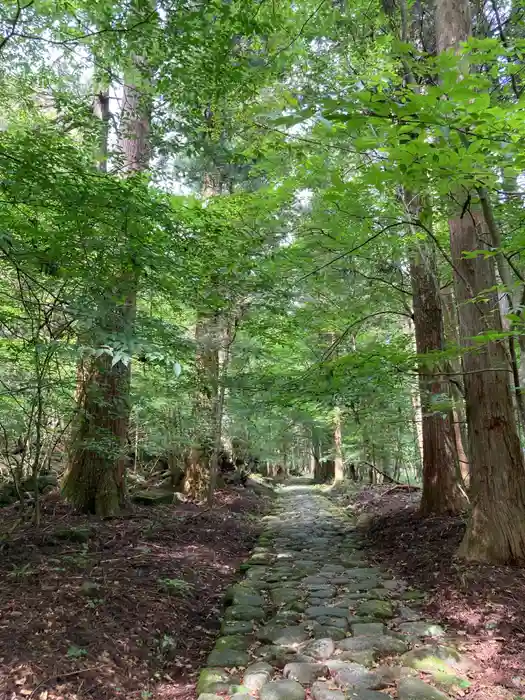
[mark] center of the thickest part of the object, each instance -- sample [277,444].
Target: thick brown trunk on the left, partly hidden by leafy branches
[95,479]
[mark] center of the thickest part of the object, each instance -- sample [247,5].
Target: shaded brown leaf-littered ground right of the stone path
[483,604]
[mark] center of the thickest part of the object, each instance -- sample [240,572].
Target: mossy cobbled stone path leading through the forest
[312,619]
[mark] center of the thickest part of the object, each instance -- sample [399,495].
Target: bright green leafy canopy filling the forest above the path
[303,119]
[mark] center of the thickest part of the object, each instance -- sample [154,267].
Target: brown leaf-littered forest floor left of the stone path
[125,608]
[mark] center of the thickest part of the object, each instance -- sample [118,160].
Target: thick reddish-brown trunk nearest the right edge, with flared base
[496,529]
